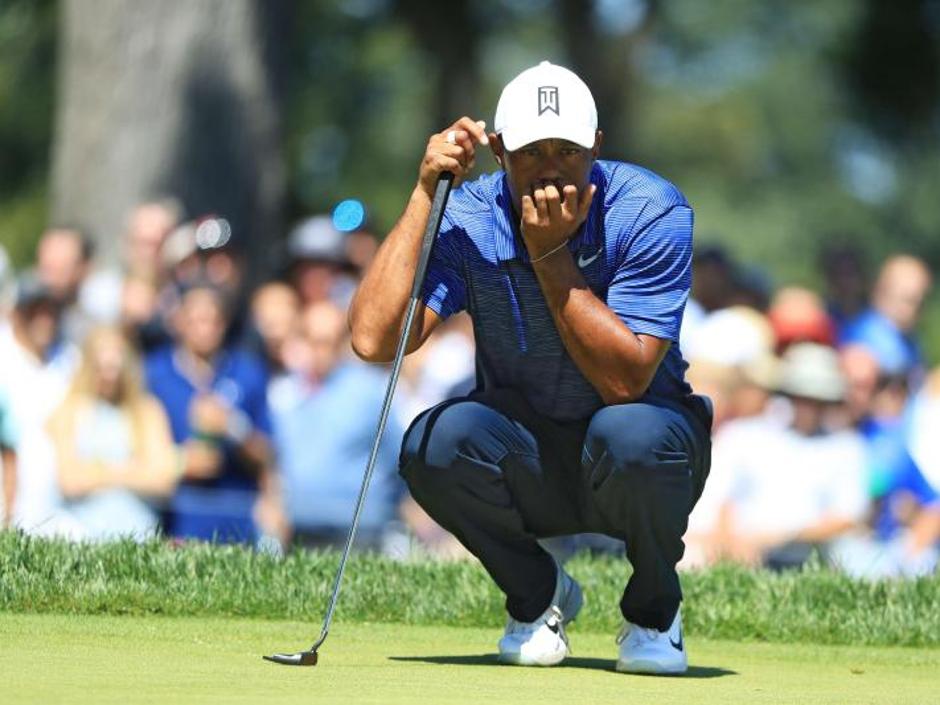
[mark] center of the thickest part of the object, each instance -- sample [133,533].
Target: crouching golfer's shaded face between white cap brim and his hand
[549,161]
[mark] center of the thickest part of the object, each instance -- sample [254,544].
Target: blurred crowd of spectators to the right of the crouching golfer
[824,409]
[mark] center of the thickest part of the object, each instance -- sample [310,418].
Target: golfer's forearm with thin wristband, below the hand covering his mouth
[613,359]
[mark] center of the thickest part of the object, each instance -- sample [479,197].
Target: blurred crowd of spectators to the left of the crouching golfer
[172,395]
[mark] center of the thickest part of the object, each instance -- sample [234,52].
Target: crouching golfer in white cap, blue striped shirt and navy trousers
[575,273]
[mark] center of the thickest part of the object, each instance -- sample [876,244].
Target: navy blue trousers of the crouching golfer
[499,476]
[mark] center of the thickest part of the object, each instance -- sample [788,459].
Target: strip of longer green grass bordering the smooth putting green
[727,602]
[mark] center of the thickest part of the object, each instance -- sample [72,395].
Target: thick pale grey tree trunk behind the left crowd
[178,98]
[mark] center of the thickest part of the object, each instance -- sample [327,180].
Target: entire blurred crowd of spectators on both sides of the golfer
[172,395]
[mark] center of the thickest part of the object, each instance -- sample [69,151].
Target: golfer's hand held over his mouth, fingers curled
[550,218]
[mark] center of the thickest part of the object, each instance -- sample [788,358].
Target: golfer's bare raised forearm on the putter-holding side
[378,306]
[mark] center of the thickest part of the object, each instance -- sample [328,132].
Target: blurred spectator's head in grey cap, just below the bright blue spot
[319,265]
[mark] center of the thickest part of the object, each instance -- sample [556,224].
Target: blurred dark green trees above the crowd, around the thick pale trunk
[788,125]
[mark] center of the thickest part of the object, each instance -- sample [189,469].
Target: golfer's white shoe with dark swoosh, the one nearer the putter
[543,642]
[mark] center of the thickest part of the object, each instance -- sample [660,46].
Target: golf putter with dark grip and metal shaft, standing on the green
[442,191]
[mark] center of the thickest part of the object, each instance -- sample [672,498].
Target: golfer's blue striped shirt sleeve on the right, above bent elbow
[651,285]
